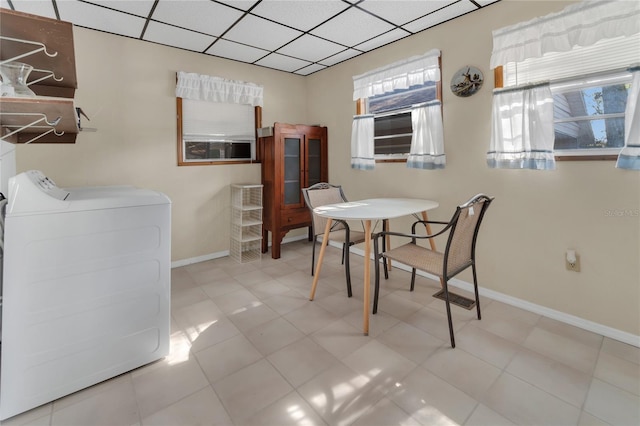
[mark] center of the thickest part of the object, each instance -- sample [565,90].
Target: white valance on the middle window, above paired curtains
[399,75]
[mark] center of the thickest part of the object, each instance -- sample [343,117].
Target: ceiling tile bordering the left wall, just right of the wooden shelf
[99,18]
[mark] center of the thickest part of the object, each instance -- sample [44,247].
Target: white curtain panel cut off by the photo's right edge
[629,157]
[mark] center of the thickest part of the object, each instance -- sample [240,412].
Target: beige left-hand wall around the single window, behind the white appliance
[127,87]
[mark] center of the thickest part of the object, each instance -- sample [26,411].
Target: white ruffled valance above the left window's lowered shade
[215,89]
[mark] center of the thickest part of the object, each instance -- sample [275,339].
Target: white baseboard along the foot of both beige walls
[594,327]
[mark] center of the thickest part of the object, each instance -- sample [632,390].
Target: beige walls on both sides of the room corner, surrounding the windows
[126,87]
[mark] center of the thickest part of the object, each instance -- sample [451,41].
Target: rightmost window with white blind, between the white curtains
[590,84]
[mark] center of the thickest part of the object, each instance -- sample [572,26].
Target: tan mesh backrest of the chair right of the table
[460,251]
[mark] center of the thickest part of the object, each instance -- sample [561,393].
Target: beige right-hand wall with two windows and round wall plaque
[536,215]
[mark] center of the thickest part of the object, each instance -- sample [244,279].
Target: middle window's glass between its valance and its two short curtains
[392,119]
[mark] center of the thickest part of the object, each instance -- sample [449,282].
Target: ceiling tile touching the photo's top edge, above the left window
[203,16]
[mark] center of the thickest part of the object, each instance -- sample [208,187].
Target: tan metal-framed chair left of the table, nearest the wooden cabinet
[322,194]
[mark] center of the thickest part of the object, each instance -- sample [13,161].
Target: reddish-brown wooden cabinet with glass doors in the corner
[293,157]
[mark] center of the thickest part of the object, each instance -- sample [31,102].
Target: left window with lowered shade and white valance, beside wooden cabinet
[217,120]
